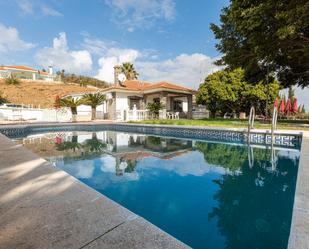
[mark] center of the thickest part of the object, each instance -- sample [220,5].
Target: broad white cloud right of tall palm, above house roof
[186,69]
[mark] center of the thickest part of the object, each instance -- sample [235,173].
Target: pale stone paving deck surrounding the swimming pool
[43,207]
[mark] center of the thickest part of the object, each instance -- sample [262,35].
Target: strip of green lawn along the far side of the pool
[226,123]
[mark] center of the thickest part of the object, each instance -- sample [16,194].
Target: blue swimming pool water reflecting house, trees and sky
[208,195]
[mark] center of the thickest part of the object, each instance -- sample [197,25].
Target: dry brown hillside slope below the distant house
[39,93]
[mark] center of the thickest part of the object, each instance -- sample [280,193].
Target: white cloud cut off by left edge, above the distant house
[10,40]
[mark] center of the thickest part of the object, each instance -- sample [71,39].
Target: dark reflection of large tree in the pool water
[241,214]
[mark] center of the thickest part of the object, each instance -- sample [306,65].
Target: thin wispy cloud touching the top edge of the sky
[141,13]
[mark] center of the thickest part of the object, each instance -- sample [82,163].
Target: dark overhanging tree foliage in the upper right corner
[265,37]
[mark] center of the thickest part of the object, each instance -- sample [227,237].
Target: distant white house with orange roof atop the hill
[23,72]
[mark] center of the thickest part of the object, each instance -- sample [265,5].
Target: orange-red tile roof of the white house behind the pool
[136,85]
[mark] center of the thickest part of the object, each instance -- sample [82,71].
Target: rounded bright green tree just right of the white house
[227,91]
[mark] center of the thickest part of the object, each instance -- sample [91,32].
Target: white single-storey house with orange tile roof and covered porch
[129,100]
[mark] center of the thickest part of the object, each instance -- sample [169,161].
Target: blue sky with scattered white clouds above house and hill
[165,39]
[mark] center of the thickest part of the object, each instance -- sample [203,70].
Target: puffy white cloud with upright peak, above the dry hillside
[60,56]
